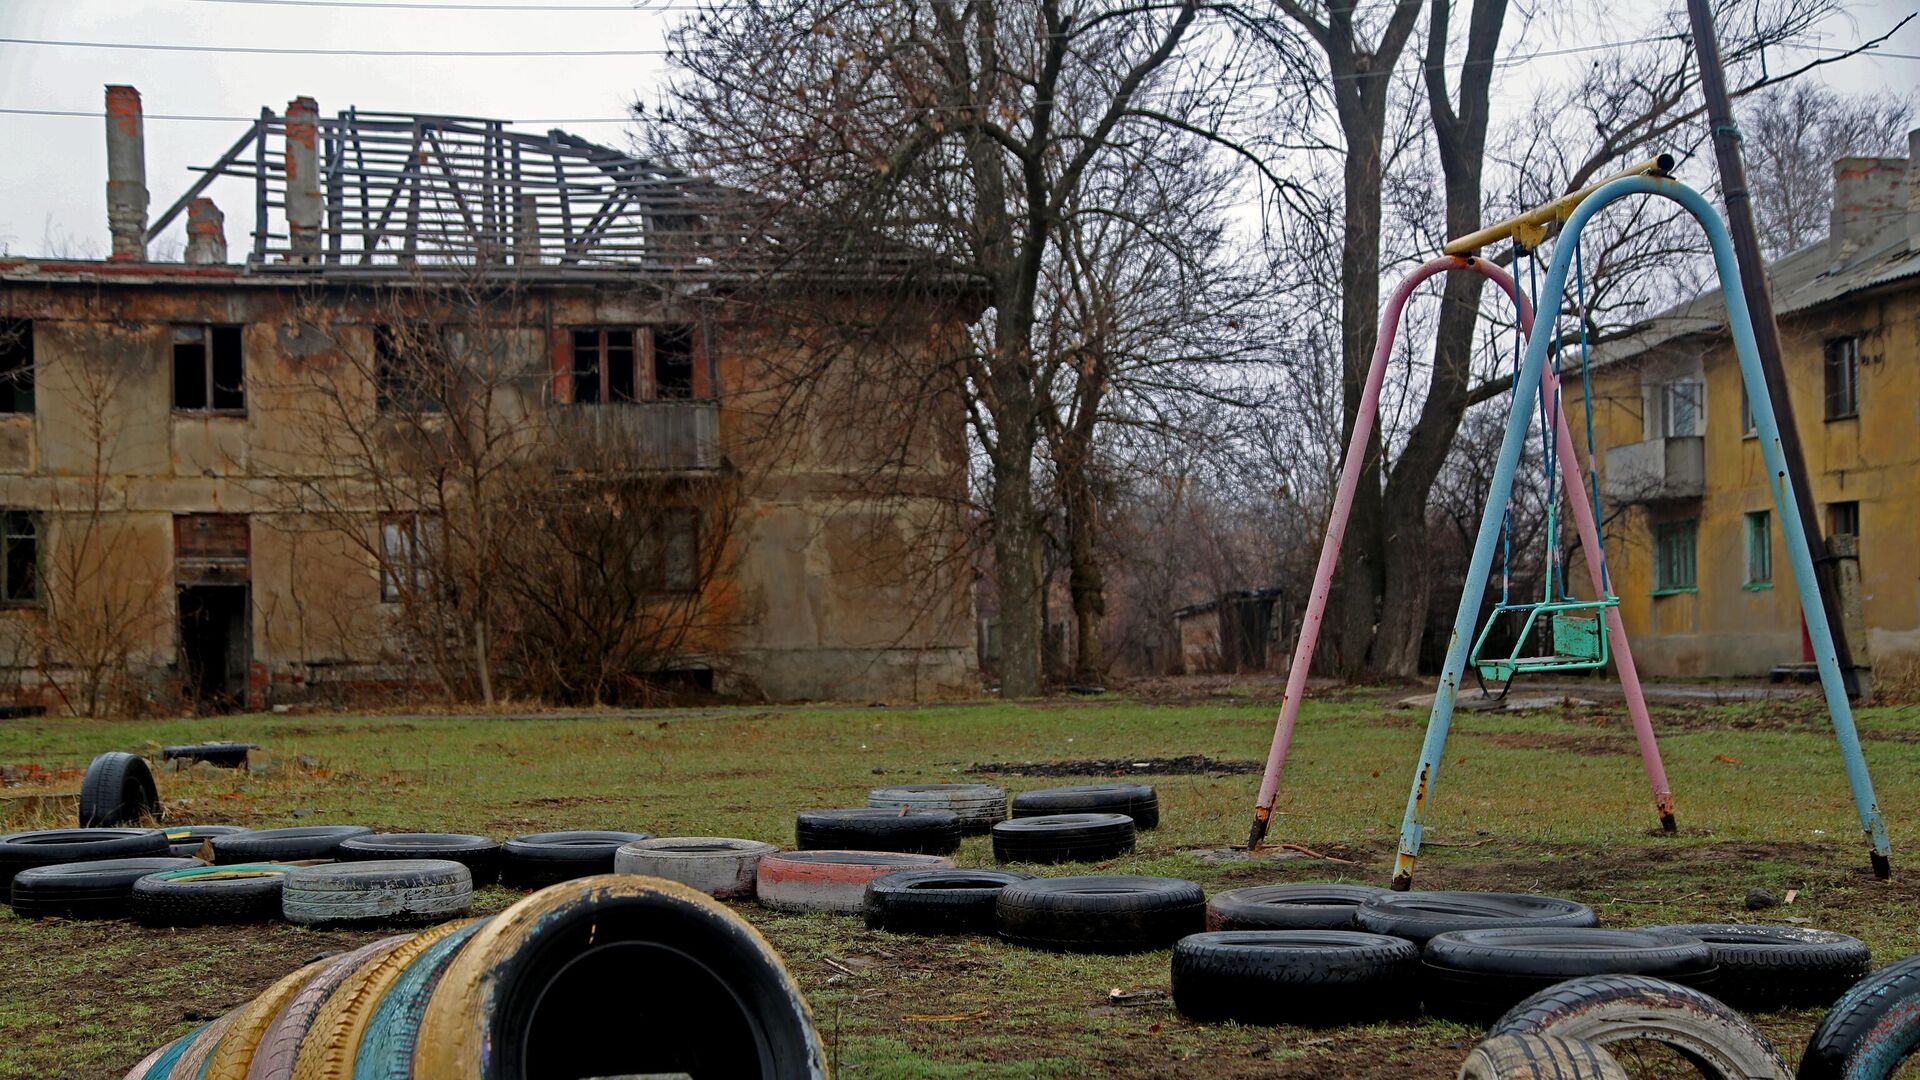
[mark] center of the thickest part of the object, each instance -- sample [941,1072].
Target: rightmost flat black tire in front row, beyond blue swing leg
[1779,968]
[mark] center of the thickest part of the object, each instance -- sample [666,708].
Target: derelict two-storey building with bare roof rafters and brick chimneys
[479,412]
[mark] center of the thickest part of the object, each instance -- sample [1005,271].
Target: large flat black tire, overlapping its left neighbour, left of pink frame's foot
[1116,914]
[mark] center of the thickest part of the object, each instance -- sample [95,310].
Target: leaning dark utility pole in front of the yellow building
[1765,330]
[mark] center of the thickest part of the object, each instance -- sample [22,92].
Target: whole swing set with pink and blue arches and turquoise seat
[1579,635]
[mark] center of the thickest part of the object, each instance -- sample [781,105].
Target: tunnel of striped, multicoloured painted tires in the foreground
[552,987]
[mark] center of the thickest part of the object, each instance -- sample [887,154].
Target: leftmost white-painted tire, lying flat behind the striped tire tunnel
[387,891]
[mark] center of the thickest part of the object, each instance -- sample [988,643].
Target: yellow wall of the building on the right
[1725,627]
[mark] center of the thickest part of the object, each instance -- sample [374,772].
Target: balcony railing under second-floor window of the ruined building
[677,437]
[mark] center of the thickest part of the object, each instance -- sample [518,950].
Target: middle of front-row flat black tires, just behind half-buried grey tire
[1477,975]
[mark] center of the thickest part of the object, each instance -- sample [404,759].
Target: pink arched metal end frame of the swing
[1583,514]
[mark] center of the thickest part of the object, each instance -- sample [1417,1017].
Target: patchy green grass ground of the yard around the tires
[1550,802]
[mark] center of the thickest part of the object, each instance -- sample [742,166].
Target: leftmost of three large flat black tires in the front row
[1293,977]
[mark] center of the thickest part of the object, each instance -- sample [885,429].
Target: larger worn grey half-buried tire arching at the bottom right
[1631,1008]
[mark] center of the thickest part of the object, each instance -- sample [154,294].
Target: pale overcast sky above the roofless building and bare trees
[53,168]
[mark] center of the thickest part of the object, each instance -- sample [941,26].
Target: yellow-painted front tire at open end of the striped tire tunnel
[617,975]
